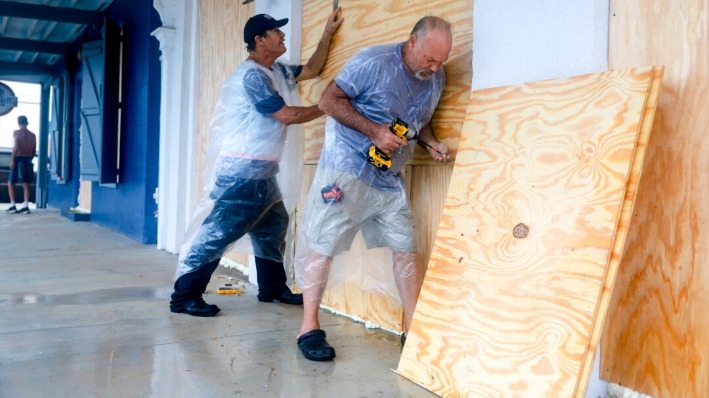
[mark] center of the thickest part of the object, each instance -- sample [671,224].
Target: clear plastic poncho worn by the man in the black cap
[252,173]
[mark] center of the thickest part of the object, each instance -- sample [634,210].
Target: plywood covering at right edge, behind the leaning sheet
[657,329]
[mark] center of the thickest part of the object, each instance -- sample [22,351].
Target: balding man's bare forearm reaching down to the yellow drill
[336,103]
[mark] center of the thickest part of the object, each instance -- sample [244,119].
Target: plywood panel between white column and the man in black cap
[221,50]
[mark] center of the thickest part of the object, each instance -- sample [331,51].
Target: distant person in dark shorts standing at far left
[23,151]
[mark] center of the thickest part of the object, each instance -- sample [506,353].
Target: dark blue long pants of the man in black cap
[240,206]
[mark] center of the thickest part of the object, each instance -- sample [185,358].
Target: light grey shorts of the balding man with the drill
[384,217]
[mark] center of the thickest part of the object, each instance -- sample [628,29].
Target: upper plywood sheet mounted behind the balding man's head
[370,23]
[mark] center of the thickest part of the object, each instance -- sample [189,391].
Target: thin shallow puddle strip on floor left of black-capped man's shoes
[103,296]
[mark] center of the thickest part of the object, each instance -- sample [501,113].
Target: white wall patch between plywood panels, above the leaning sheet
[518,41]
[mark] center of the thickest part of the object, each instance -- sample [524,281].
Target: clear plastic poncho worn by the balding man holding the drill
[355,212]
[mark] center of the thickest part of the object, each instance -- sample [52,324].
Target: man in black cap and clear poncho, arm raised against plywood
[248,137]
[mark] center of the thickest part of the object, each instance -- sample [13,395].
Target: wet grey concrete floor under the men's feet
[84,313]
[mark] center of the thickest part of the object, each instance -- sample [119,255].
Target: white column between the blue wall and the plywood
[178,110]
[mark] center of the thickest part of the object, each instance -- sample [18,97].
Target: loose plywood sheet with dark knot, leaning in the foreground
[511,297]
